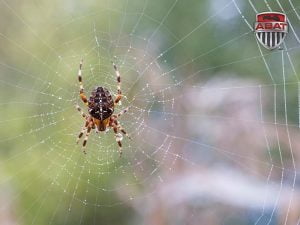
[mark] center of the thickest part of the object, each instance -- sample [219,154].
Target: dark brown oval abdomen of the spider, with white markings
[101,104]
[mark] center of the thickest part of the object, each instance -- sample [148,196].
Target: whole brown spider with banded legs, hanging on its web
[100,108]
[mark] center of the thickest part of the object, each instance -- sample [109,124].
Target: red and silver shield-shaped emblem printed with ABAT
[270,29]
